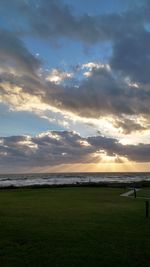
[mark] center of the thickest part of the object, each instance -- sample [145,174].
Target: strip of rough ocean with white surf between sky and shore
[34,179]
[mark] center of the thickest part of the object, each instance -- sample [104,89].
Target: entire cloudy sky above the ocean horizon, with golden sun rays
[74,86]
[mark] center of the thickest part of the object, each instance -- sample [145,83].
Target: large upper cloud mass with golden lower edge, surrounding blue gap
[103,92]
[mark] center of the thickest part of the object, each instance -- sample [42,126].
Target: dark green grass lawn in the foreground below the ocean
[73,227]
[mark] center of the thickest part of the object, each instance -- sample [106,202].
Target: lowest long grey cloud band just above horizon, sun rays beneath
[56,148]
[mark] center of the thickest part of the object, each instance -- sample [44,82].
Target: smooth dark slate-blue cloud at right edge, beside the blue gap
[131,56]
